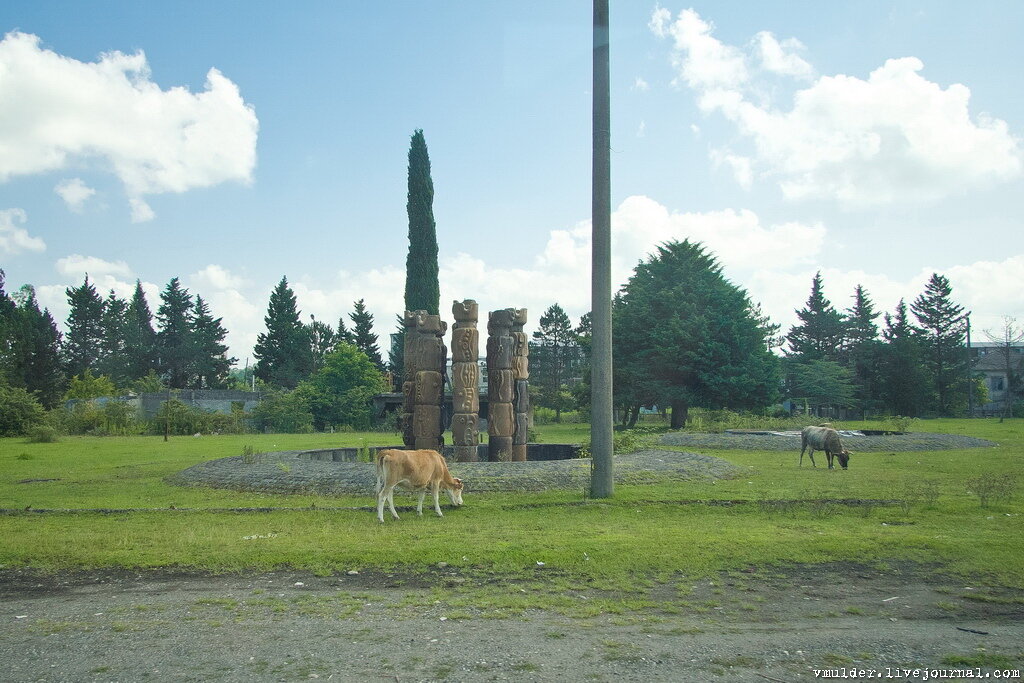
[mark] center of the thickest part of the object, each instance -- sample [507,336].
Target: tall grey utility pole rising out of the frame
[603,482]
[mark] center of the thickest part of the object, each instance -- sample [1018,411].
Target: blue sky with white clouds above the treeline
[876,142]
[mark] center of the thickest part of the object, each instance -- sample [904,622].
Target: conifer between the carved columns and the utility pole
[554,355]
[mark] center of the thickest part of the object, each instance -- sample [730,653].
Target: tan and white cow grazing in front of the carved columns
[417,471]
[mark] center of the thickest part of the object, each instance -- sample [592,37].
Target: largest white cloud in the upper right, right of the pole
[892,137]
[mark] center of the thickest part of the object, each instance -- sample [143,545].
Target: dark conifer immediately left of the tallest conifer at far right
[901,374]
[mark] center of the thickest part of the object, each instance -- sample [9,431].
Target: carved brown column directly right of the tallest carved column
[501,387]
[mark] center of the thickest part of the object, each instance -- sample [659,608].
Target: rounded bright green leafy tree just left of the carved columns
[340,393]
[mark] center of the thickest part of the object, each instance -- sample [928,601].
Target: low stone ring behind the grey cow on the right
[889,443]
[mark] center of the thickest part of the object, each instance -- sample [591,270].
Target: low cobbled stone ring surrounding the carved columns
[317,473]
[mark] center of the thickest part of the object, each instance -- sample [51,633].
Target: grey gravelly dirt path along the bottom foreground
[748,626]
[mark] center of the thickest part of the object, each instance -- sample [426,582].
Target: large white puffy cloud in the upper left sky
[57,112]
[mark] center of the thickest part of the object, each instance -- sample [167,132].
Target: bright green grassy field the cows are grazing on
[934,516]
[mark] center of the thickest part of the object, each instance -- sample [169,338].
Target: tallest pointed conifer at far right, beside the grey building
[943,330]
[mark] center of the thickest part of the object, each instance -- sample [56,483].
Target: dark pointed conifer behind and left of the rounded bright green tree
[284,355]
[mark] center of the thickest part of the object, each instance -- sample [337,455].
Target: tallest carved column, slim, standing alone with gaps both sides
[465,380]
